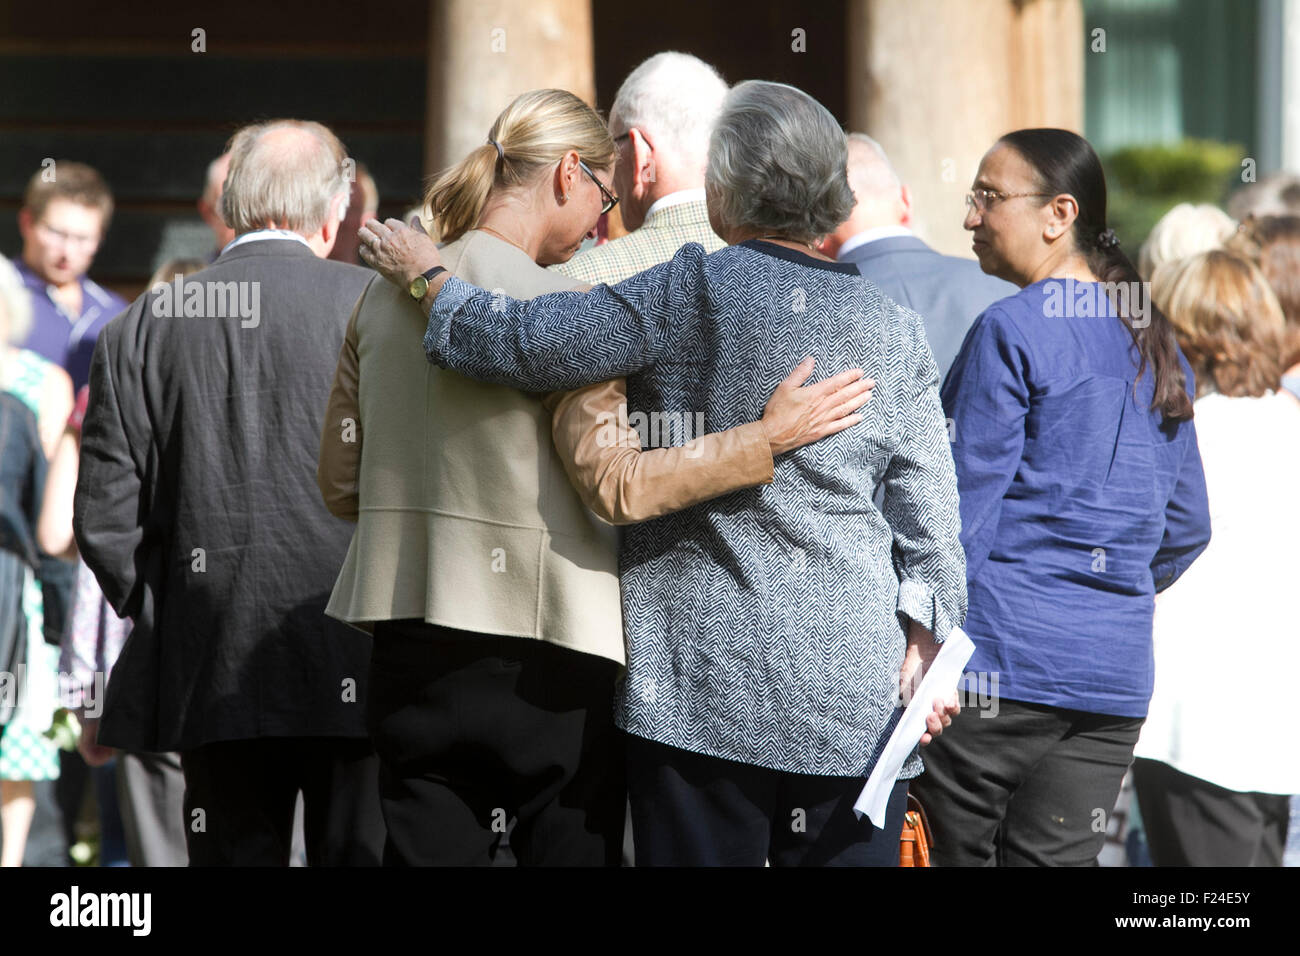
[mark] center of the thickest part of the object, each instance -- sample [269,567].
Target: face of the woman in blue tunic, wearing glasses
[1009,230]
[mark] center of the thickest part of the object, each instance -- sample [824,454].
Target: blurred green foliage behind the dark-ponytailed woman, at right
[1147,181]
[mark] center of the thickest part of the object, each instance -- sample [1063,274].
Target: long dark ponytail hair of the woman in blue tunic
[1065,163]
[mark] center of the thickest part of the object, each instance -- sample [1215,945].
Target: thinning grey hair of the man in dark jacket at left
[294,181]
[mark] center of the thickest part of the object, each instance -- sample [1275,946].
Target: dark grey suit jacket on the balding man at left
[197,507]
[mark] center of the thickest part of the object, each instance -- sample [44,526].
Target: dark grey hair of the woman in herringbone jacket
[777,163]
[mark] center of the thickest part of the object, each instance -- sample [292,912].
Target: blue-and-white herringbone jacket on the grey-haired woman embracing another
[765,626]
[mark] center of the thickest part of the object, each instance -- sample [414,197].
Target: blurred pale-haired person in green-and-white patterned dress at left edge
[27,755]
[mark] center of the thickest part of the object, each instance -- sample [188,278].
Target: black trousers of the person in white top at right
[1194,823]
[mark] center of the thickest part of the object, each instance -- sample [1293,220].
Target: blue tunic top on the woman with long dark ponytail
[1077,504]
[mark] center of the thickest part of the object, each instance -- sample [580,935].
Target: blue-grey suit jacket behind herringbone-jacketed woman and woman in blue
[947,292]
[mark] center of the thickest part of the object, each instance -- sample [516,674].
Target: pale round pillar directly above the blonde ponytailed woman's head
[486,53]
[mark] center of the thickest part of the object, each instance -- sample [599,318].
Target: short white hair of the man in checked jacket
[677,100]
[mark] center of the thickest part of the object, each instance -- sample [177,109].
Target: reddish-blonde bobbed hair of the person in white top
[1228,322]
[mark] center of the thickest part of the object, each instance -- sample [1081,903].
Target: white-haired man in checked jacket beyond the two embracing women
[661,122]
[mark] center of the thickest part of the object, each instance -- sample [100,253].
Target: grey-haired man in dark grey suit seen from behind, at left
[197,508]
